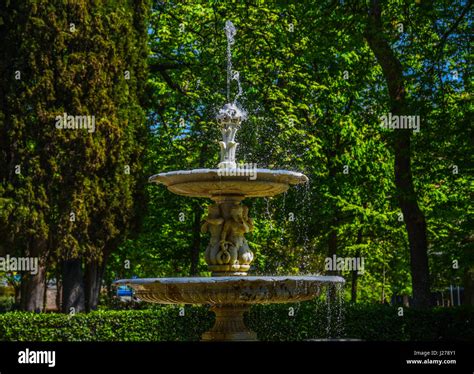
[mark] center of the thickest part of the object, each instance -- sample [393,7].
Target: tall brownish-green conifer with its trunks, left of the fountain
[79,189]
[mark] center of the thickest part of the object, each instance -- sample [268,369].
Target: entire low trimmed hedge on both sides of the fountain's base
[271,322]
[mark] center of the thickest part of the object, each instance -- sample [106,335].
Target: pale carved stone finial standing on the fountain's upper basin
[229,119]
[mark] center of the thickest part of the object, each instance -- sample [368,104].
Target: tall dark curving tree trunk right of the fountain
[413,216]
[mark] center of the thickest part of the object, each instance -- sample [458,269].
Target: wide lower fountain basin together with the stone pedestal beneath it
[229,297]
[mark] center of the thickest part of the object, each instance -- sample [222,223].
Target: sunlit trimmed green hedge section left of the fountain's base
[162,324]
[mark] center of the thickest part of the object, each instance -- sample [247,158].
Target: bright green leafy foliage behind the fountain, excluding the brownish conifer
[305,115]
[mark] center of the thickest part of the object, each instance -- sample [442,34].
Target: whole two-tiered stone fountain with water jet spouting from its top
[229,291]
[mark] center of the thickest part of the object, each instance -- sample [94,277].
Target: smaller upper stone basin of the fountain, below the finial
[214,182]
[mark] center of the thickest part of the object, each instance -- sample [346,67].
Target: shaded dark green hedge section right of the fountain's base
[366,322]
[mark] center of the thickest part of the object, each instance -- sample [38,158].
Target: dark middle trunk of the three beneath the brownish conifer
[73,286]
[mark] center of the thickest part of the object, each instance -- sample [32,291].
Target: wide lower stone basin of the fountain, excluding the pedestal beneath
[229,290]
